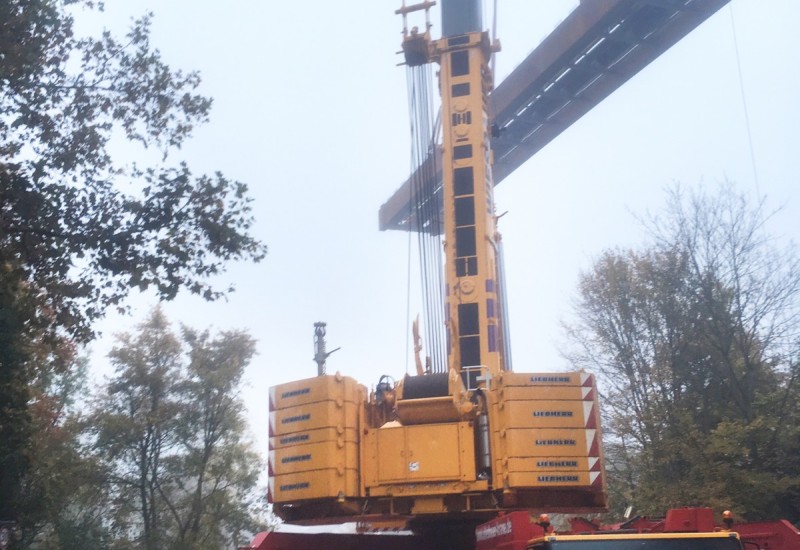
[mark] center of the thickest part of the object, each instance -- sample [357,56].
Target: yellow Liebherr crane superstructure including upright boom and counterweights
[470,438]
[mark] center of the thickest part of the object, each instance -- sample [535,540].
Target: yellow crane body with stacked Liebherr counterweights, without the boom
[349,453]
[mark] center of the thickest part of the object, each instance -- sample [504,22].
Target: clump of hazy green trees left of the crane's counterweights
[159,459]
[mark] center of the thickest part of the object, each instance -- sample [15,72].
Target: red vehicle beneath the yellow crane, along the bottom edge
[680,529]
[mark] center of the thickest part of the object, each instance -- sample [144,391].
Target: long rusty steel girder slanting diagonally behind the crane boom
[595,50]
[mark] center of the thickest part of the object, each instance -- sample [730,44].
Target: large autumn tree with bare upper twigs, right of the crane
[696,340]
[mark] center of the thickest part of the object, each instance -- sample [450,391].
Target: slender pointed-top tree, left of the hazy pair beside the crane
[135,423]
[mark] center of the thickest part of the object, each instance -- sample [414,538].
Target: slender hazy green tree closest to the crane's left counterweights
[214,449]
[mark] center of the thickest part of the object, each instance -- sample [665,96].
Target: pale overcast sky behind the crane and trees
[310,111]
